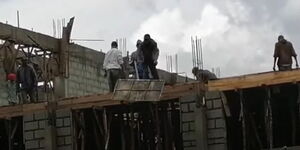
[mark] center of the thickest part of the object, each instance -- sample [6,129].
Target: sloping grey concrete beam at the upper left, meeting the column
[27,37]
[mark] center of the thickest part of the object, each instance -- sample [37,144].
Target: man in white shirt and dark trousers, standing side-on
[113,65]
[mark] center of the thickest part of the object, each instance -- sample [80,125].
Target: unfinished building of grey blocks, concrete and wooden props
[75,111]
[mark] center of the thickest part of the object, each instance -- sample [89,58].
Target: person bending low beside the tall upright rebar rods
[203,75]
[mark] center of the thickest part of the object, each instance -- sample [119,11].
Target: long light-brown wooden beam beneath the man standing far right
[254,80]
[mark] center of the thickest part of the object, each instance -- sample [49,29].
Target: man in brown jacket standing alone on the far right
[284,51]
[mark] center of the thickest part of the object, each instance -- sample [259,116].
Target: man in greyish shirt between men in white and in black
[138,60]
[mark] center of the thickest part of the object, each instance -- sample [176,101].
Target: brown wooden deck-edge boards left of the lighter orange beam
[101,100]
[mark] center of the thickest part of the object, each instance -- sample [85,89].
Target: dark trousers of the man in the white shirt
[113,76]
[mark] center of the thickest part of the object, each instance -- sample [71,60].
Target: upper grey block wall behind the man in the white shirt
[85,72]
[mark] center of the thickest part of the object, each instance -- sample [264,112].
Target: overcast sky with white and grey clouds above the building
[238,35]
